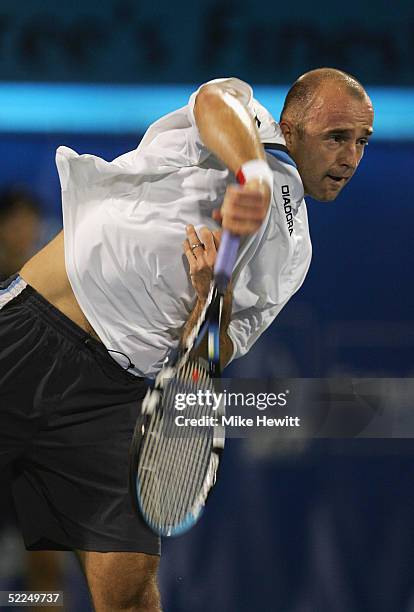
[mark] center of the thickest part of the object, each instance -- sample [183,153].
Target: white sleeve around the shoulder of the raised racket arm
[234,86]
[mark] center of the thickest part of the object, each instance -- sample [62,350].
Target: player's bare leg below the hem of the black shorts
[122,581]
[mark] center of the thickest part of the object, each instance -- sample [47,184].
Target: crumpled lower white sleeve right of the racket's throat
[248,325]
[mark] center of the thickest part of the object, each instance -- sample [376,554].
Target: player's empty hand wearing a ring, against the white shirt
[201,258]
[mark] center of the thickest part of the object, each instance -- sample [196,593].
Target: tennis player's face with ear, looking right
[330,145]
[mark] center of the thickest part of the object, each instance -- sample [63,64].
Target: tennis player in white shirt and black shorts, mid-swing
[96,311]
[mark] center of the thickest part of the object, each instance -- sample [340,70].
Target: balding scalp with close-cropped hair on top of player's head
[303,92]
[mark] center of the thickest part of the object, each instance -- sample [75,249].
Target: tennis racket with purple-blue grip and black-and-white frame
[173,467]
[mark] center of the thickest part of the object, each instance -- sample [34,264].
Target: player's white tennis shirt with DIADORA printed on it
[124,224]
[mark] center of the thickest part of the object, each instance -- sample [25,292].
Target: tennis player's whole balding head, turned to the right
[326,123]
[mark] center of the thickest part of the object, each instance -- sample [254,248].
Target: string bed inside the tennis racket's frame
[174,459]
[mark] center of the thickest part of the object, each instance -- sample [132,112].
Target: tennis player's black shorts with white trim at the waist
[67,413]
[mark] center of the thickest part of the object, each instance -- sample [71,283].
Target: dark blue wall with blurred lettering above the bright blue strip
[120,41]
